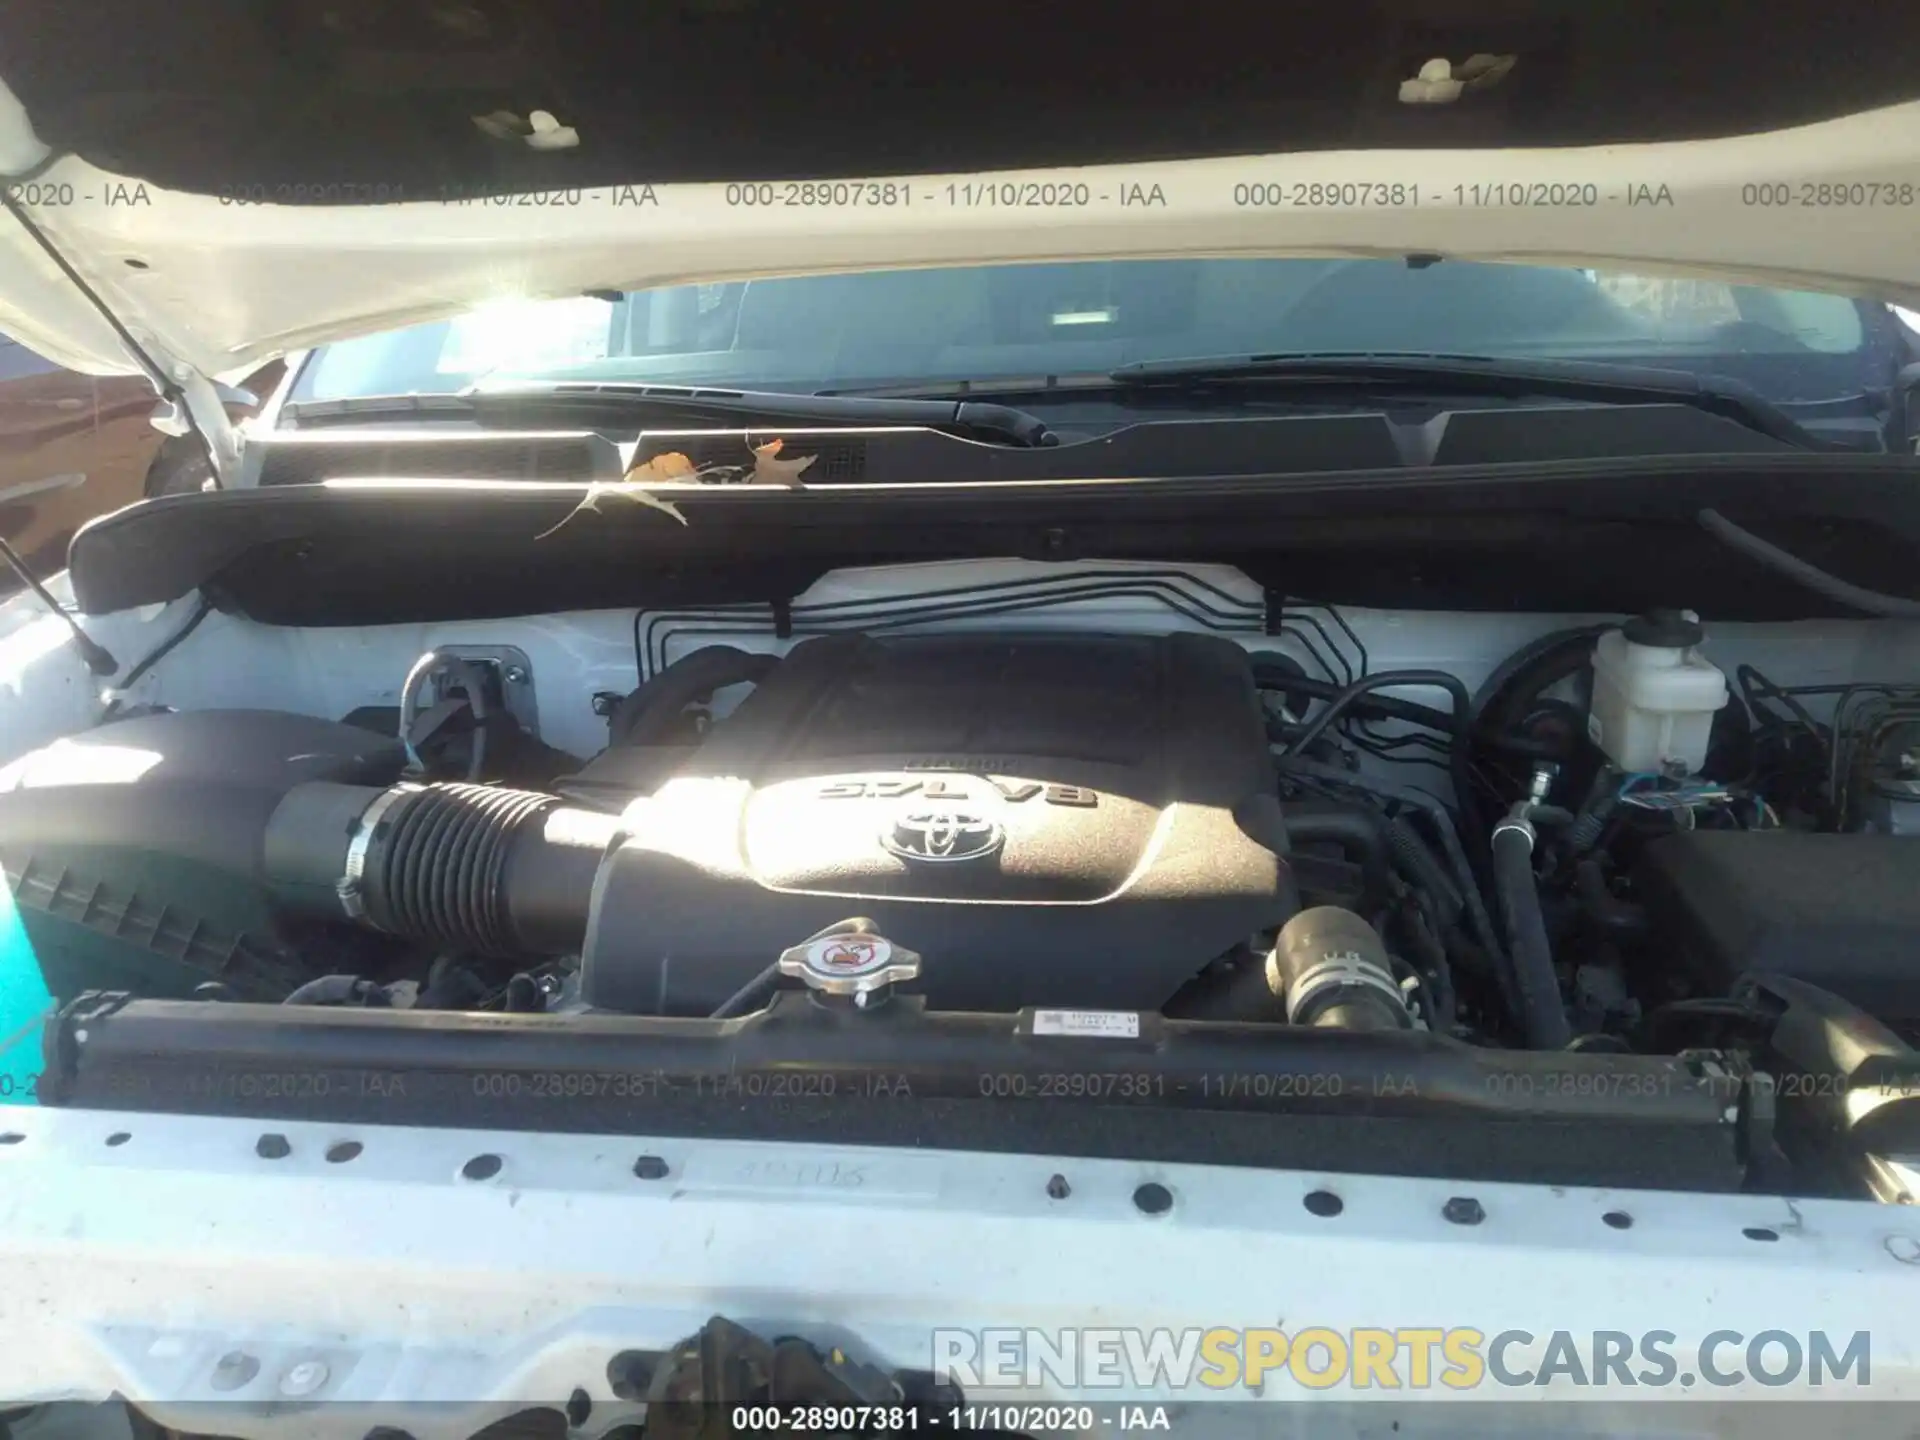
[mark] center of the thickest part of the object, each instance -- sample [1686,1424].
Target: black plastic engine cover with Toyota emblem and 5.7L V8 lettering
[1078,821]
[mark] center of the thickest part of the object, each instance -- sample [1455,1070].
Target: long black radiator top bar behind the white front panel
[1184,1092]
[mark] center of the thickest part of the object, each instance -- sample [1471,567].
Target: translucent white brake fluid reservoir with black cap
[1656,694]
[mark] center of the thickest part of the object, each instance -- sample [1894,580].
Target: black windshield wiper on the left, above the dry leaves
[619,400]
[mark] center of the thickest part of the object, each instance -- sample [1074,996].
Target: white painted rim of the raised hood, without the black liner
[218,283]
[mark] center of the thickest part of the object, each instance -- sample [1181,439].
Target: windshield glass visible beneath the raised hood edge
[1022,322]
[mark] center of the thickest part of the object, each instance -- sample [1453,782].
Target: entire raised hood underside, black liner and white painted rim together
[239,181]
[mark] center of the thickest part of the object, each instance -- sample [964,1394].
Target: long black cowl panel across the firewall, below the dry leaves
[1564,537]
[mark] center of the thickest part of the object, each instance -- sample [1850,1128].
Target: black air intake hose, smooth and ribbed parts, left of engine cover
[475,869]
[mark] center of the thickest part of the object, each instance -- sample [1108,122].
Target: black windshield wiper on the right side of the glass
[1483,375]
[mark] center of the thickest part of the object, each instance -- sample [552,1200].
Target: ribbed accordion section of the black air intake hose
[437,869]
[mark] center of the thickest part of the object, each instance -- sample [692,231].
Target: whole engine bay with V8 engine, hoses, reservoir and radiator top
[936,853]
